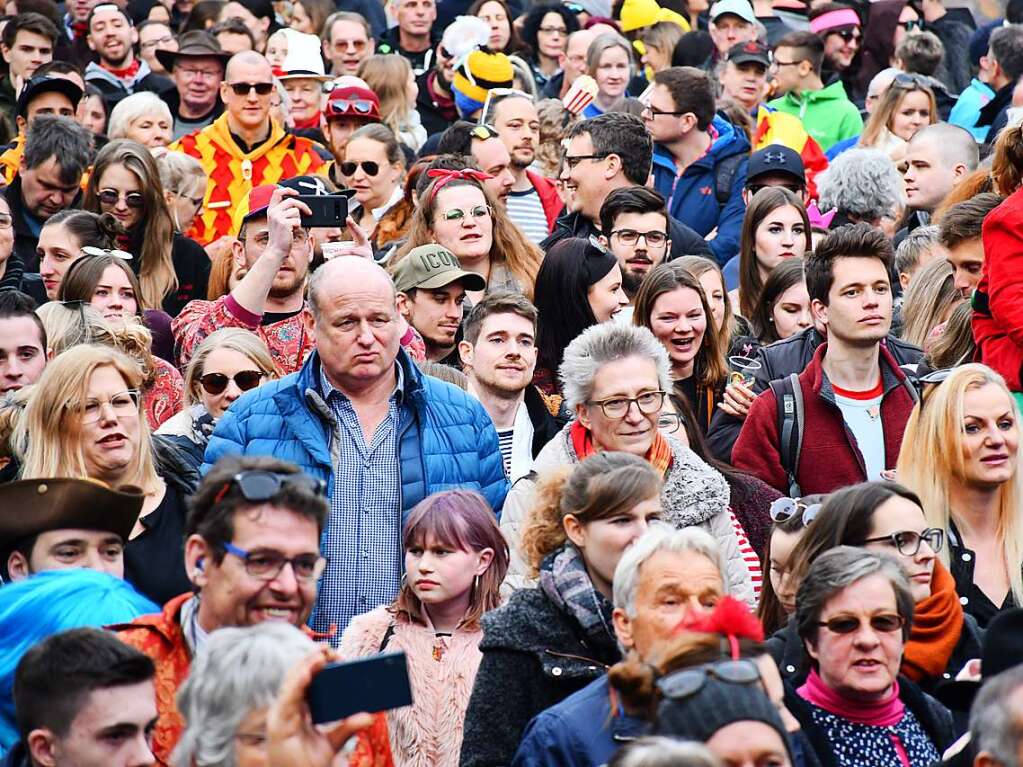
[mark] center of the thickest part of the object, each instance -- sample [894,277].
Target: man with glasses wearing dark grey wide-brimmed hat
[197,67]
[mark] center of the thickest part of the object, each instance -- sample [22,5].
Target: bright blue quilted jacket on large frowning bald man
[446,438]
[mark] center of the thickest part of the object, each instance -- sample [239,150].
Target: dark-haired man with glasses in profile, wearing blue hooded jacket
[700,159]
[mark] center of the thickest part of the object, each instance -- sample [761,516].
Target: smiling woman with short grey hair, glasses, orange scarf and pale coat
[615,379]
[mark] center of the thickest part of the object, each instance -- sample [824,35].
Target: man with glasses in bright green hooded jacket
[827,113]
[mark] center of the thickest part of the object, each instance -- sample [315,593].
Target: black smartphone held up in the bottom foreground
[372,685]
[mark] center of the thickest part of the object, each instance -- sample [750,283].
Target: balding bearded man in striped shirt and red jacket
[533,203]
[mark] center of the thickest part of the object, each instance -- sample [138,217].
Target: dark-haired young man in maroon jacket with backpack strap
[857,400]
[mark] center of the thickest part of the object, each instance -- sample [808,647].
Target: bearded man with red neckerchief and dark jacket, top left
[119,73]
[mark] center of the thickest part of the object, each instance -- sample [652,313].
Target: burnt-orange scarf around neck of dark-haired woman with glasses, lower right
[938,625]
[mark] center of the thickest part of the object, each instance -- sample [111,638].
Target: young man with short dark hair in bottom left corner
[82,699]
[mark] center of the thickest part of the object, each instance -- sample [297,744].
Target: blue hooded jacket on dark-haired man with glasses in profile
[695,200]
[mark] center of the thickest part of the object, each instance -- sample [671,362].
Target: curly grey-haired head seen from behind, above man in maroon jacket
[864,186]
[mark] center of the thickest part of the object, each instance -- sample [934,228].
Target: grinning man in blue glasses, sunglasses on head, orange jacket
[252,552]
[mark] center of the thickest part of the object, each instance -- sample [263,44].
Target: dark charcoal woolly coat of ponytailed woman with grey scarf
[535,656]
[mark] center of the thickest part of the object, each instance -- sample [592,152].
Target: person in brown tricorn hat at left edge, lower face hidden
[61,524]
